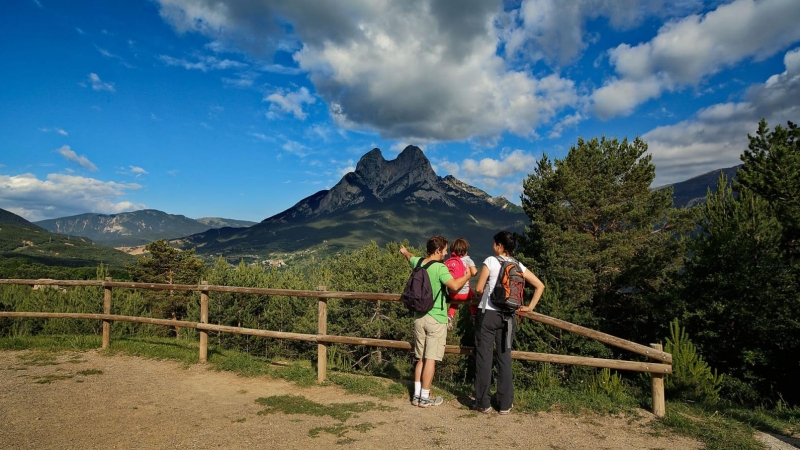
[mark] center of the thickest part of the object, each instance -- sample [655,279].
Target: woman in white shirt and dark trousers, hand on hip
[494,327]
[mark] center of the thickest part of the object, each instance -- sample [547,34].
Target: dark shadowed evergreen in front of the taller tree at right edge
[740,295]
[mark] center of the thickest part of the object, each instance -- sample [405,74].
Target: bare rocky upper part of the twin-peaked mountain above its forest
[376,182]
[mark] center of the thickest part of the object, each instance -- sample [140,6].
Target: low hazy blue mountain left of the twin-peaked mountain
[133,228]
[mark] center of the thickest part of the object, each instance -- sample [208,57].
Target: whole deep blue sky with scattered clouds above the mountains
[241,108]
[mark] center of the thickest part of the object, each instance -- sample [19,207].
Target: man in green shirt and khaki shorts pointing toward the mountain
[430,329]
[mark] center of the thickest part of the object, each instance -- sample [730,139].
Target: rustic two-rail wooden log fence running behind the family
[660,363]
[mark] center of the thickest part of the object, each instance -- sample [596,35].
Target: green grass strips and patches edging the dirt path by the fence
[719,427]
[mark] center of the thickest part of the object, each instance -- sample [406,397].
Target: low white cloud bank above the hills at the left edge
[63,195]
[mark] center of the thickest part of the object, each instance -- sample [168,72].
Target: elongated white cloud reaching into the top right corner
[686,51]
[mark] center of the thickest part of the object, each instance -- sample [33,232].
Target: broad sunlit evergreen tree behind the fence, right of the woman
[601,235]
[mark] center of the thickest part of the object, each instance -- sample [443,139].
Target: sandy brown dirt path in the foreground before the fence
[147,404]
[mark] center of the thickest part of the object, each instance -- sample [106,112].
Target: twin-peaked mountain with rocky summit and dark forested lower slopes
[380,201]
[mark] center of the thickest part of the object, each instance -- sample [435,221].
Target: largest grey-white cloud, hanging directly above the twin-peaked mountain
[418,71]
